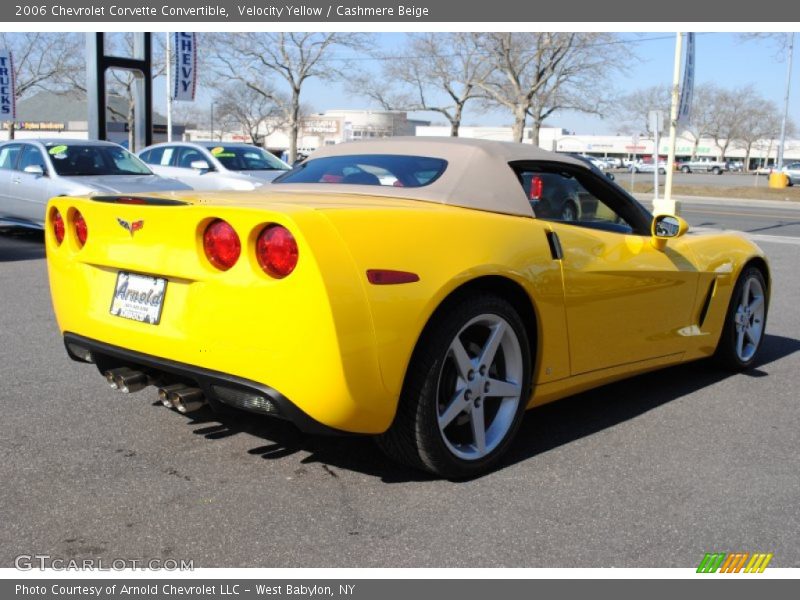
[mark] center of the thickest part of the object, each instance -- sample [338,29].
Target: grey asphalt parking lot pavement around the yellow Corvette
[651,472]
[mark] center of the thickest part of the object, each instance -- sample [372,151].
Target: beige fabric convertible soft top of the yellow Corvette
[477,173]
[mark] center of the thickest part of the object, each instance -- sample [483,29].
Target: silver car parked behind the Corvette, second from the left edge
[214,165]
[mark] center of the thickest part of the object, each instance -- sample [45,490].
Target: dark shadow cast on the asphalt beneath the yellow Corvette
[543,428]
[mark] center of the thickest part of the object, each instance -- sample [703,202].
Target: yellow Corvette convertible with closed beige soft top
[422,290]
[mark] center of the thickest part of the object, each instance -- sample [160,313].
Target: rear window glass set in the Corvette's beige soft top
[368,169]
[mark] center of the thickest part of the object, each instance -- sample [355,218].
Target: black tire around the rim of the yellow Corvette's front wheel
[727,355]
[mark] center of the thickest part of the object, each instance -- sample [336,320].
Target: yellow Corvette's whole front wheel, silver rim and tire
[745,321]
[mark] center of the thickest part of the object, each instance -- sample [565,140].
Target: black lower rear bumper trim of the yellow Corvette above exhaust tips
[218,387]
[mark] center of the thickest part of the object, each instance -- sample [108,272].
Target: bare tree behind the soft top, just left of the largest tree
[439,72]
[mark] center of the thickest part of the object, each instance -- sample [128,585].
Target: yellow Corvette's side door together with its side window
[626,301]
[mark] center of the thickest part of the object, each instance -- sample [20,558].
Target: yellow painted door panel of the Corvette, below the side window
[625,300]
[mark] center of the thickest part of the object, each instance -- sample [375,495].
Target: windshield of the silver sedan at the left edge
[74,160]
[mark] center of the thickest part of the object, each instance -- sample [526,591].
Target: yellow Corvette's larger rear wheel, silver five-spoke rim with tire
[465,392]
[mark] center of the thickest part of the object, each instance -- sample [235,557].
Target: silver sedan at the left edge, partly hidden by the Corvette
[33,171]
